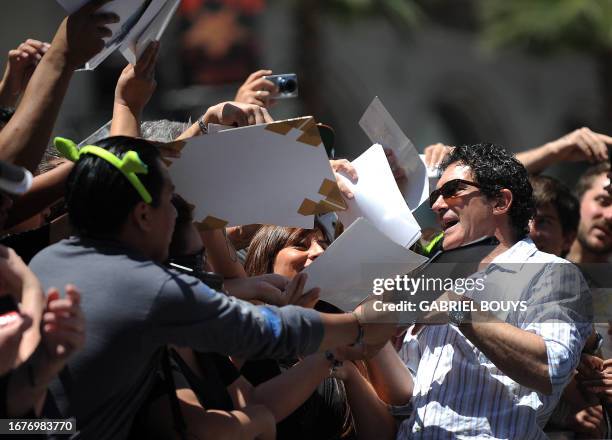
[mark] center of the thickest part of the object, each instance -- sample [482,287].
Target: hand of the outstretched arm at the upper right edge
[581,144]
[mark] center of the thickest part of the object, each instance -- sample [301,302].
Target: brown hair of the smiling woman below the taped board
[267,243]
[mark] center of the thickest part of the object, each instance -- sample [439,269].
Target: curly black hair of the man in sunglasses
[495,169]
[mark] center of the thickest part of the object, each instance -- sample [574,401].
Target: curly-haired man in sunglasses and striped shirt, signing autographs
[495,376]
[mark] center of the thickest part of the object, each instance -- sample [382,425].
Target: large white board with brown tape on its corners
[275,173]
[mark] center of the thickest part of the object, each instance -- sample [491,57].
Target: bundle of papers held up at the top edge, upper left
[141,21]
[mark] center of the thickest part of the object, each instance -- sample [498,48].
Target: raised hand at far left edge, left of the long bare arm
[20,66]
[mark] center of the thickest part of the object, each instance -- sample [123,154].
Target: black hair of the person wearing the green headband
[99,197]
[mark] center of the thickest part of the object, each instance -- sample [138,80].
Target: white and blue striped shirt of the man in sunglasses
[459,392]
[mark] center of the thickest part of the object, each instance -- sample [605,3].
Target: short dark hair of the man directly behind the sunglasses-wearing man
[546,190]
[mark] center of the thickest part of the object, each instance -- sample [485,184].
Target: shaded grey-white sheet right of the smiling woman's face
[345,272]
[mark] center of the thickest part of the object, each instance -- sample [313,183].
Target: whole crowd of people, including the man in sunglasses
[120,313]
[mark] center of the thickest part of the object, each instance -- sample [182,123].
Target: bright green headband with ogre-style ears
[129,165]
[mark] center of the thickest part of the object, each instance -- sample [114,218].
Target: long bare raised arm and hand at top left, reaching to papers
[24,139]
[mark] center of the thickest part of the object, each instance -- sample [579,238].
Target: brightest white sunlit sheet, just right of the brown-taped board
[378,199]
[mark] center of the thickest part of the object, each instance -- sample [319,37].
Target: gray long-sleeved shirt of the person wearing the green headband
[132,308]
